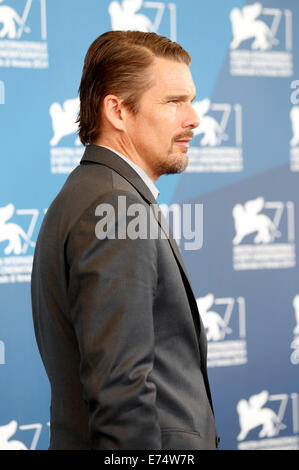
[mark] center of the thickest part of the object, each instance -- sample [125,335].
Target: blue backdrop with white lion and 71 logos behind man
[244,170]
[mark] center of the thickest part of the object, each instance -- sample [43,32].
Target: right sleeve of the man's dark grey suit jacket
[112,284]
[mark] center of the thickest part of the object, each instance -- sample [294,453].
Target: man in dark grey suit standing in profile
[115,318]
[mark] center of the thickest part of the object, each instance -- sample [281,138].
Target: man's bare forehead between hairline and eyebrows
[172,77]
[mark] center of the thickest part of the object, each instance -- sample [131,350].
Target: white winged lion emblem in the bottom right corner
[252,414]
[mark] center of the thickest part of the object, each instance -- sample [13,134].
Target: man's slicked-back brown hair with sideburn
[118,62]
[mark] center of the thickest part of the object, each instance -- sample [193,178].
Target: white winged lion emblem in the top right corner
[246,26]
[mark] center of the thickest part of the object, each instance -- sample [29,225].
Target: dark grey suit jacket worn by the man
[117,323]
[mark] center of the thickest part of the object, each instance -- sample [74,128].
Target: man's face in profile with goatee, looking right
[161,130]
